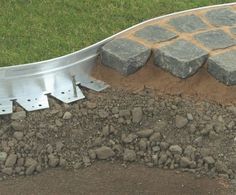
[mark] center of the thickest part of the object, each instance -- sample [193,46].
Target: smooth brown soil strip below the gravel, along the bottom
[109,178]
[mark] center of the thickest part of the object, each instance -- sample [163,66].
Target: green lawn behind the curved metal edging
[34,30]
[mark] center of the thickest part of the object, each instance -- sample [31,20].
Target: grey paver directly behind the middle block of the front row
[215,39]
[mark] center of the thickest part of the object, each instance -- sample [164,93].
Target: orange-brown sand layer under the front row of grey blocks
[200,86]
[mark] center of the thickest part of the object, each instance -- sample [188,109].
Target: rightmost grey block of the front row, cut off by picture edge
[223,67]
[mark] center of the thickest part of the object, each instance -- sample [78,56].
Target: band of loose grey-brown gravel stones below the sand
[159,131]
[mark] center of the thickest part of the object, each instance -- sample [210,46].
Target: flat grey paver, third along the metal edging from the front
[188,23]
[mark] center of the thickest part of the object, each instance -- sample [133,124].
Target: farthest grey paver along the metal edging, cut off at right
[221,17]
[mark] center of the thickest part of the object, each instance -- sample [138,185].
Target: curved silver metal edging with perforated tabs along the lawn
[28,84]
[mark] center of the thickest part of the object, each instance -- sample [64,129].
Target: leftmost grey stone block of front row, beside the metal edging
[124,55]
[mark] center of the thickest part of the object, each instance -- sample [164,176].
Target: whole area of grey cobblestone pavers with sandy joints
[181,45]
